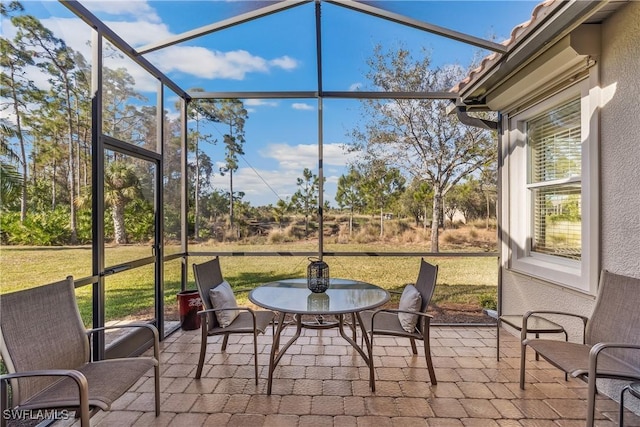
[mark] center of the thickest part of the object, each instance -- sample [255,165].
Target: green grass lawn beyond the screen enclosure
[130,294]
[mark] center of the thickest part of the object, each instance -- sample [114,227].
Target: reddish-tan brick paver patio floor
[322,381]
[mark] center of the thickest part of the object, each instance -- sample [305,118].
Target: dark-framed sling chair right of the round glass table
[387,321]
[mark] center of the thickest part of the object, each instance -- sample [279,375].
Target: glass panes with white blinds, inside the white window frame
[554,140]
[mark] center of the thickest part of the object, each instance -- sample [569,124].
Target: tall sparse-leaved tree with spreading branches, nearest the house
[418,135]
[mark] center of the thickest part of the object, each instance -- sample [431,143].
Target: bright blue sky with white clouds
[277,53]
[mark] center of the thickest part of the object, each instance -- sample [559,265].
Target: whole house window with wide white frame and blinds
[550,177]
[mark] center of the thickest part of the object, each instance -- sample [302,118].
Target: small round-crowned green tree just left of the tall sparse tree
[382,187]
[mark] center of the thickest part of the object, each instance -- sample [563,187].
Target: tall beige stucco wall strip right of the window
[620,143]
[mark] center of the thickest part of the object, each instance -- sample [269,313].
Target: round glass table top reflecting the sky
[343,296]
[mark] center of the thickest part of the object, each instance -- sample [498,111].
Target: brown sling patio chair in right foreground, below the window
[611,339]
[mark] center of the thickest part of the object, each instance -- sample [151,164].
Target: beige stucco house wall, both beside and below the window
[619,176]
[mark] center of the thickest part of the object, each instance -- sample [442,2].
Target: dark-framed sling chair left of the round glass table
[208,276]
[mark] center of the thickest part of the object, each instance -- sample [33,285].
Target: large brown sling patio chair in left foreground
[46,350]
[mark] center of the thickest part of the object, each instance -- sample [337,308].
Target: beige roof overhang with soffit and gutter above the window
[559,35]
